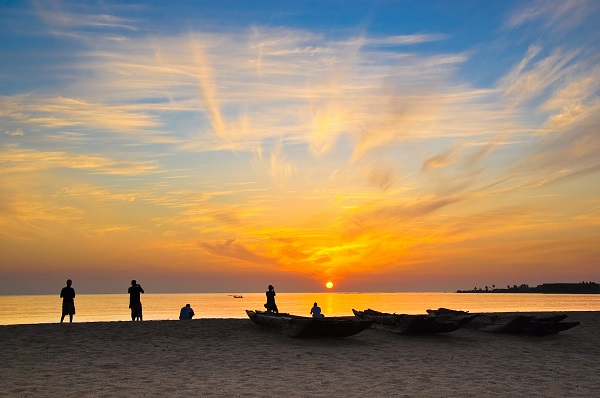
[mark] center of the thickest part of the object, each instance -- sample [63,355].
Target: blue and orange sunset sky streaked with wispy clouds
[221,146]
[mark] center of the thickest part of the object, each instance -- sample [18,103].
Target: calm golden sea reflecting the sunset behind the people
[114,307]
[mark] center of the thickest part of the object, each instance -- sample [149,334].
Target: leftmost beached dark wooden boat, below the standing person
[301,326]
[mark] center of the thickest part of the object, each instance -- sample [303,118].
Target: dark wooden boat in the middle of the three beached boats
[414,324]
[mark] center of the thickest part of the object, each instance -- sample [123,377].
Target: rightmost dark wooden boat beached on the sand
[512,323]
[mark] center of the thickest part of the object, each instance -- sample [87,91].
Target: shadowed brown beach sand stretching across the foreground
[235,358]
